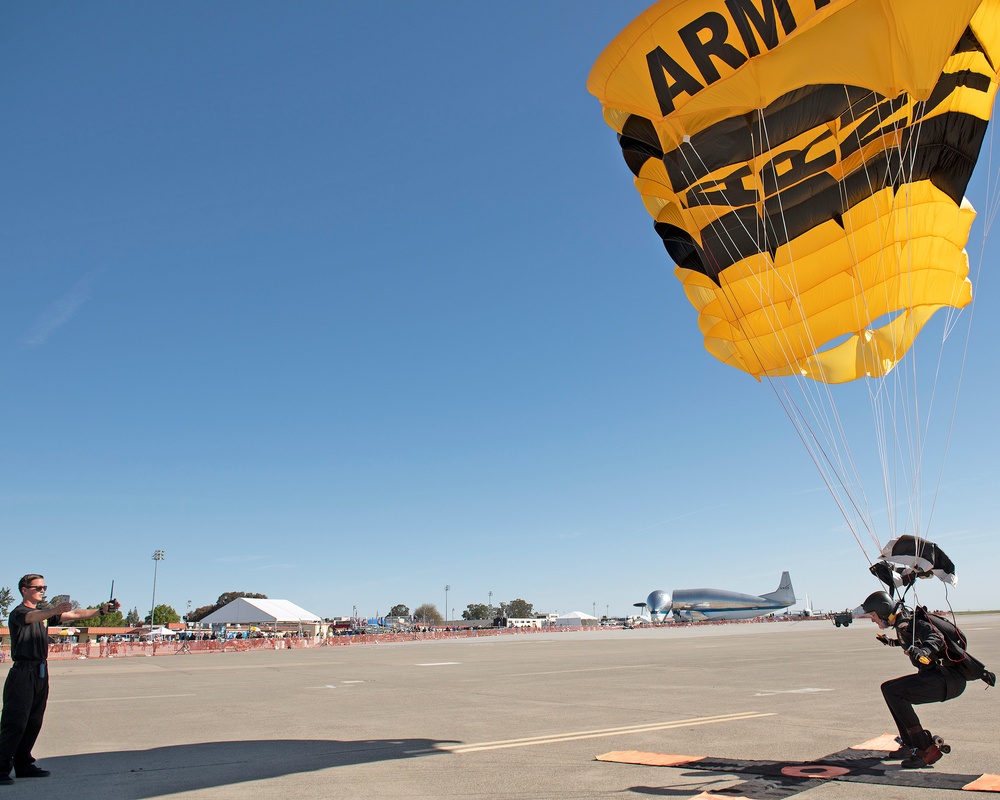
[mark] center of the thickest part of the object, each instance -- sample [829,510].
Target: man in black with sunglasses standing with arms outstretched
[27,688]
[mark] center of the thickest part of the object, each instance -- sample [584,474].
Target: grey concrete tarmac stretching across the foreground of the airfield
[520,717]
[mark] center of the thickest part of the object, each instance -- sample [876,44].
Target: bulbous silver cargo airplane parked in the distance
[693,605]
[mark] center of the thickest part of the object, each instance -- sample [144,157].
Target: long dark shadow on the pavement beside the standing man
[138,774]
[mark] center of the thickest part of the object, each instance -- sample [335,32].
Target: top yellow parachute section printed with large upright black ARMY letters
[888,46]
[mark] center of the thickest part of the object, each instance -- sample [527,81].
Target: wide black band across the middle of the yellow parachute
[711,168]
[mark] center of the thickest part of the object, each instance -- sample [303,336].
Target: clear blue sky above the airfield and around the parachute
[343,302]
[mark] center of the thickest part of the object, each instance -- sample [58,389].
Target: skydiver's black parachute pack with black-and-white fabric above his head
[902,562]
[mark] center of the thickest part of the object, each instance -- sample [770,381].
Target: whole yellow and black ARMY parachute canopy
[805,163]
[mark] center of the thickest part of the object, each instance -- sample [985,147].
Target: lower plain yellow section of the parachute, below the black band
[771,316]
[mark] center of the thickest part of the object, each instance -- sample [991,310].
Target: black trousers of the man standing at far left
[24,697]
